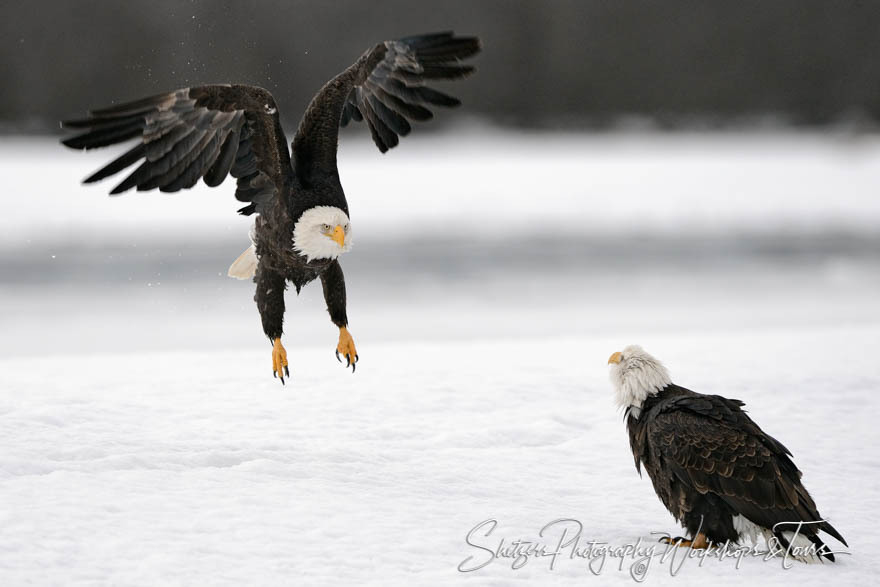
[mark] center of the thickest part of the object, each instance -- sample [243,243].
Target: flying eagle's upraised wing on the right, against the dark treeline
[386,87]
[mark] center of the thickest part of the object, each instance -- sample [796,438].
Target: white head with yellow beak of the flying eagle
[322,232]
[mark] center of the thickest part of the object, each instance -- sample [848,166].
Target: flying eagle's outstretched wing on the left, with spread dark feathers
[203,132]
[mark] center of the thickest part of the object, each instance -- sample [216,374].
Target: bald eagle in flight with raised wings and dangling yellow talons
[302,227]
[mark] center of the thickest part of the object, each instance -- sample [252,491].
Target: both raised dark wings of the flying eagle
[210,132]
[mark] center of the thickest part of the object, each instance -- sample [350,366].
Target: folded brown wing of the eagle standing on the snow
[711,445]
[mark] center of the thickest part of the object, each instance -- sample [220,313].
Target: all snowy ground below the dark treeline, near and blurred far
[143,440]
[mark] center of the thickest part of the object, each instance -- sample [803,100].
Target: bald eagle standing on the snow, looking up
[715,470]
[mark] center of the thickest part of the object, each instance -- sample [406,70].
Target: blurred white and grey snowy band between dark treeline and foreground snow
[473,233]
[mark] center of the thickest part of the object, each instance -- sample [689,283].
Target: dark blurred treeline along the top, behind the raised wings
[553,63]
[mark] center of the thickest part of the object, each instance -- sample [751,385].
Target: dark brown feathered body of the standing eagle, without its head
[708,462]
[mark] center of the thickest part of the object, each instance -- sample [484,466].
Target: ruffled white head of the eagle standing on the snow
[636,375]
